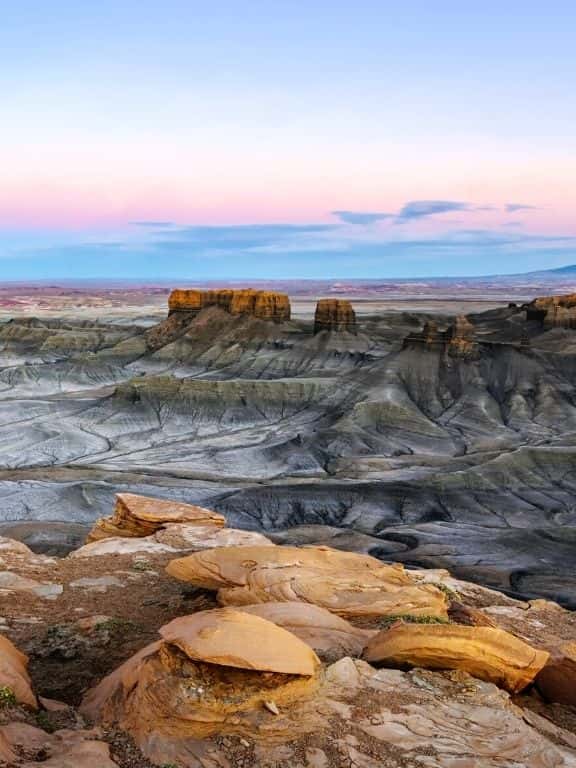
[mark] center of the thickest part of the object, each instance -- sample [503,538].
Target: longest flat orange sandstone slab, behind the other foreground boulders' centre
[348,584]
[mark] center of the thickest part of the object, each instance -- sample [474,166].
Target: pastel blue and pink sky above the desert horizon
[268,139]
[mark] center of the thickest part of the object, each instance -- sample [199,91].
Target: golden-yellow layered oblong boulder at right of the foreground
[487,653]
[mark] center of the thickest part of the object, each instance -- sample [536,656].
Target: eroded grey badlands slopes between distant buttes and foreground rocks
[463,458]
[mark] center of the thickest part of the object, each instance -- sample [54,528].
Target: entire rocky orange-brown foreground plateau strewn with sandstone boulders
[130,653]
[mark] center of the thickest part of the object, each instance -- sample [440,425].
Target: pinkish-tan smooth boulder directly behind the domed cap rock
[328,635]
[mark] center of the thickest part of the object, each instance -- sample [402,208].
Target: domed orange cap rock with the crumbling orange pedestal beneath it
[212,672]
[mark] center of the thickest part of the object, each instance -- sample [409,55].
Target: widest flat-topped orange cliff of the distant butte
[266,305]
